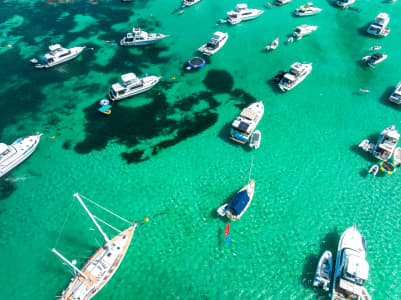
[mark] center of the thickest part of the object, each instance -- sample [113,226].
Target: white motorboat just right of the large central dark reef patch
[244,125]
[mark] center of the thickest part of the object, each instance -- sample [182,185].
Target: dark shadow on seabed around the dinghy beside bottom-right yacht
[329,242]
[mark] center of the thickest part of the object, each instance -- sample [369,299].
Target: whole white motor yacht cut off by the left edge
[12,155]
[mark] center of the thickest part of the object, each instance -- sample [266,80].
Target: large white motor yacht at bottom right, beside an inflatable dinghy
[351,269]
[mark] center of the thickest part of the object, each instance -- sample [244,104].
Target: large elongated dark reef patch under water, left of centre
[132,126]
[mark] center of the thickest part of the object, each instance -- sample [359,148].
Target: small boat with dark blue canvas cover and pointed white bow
[241,201]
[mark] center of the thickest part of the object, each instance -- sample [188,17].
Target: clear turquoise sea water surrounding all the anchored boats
[166,154]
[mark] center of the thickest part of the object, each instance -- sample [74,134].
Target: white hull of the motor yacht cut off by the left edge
[22,150]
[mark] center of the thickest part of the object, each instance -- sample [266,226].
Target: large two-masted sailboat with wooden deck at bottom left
[103,264]
